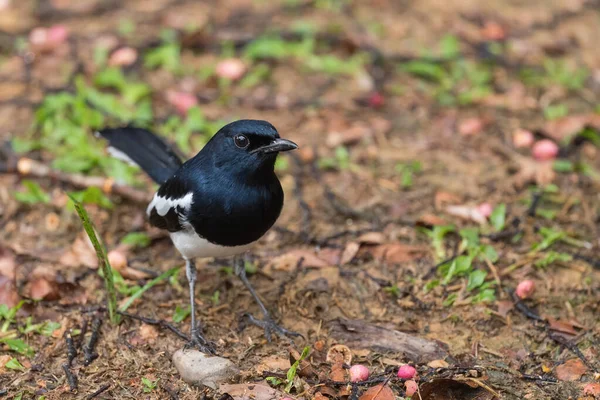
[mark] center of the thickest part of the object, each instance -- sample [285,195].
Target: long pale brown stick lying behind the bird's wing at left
[28,167]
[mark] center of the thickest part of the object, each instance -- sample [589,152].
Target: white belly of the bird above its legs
[192,246]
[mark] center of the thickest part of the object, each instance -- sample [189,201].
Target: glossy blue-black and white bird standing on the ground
[218,203]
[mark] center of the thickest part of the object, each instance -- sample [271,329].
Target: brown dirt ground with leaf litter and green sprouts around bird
[415,121]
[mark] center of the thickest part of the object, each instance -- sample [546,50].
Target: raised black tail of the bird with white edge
[143,148]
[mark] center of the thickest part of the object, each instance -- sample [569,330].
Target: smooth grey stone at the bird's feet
[197,368]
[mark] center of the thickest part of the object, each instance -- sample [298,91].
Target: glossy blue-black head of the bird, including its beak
[247,145]
